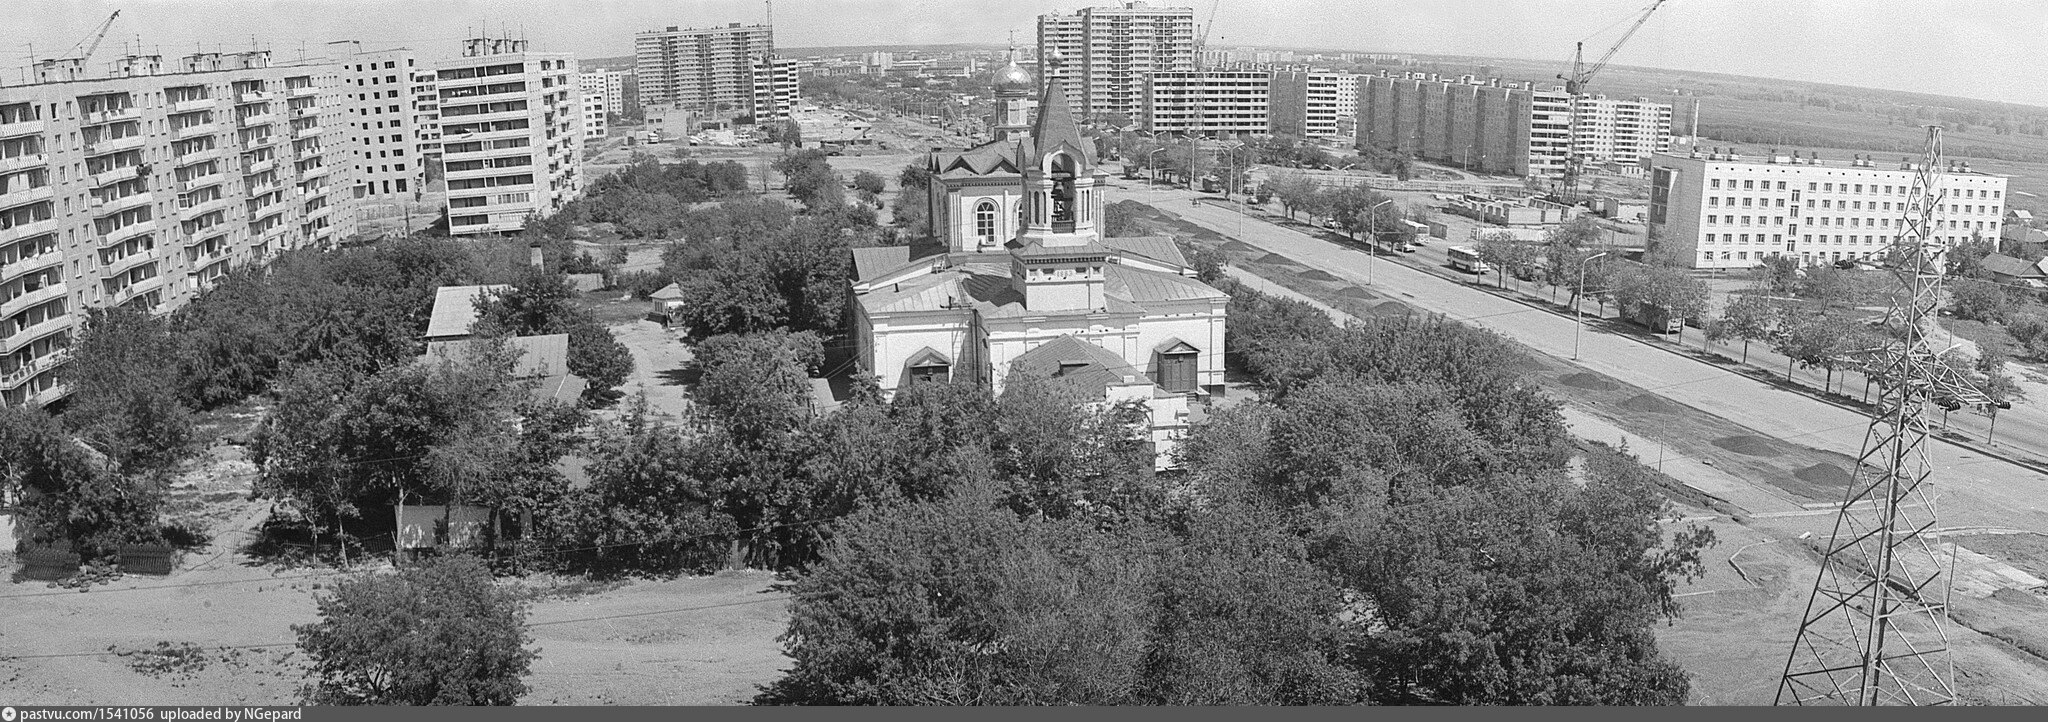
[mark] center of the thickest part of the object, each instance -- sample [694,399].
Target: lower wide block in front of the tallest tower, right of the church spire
[1207,101]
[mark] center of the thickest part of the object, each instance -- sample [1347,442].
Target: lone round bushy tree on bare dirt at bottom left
[429,635]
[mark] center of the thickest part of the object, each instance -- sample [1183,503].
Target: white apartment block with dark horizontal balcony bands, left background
[511,134]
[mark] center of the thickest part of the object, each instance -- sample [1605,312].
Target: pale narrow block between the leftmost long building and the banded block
[384,124]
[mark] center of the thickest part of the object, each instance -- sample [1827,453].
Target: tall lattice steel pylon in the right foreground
[1875,621]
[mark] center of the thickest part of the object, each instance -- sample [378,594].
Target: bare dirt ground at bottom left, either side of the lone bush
[218,631]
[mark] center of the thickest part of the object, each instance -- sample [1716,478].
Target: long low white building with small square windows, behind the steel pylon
[1723,210]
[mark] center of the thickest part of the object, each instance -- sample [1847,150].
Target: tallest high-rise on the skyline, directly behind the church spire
[1105,56]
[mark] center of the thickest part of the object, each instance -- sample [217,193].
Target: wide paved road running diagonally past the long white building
[1975,490]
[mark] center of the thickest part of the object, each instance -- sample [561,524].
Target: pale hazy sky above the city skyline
[1965,48]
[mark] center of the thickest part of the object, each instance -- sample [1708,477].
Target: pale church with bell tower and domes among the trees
[1017,275]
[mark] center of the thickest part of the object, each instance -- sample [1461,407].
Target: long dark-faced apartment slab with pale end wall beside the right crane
[1484,126]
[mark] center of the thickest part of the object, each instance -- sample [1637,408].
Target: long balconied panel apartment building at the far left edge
[144,185]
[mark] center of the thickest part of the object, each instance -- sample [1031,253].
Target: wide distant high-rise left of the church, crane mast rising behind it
[706,71]
